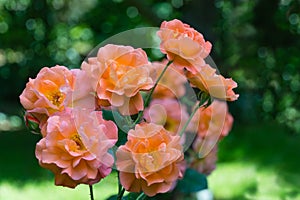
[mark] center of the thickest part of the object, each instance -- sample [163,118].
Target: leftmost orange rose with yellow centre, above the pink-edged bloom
[48,91]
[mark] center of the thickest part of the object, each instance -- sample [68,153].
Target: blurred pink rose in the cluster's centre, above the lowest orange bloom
[168,113]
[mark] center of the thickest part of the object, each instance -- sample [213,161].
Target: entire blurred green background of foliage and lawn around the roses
[257,43]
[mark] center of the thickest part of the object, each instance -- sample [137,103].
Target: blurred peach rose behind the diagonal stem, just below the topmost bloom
[172,83]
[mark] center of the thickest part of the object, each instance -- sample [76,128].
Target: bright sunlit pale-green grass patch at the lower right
[246,181]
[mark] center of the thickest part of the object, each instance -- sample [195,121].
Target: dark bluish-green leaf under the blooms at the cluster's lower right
[192,181]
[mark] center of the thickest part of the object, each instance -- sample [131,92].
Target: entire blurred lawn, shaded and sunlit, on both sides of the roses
[259,162]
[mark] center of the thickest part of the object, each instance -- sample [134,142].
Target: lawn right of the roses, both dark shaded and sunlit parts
[258,162]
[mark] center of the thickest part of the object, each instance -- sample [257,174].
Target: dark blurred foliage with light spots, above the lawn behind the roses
[256,41]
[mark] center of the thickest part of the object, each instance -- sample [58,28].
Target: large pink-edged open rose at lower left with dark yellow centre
[76,146]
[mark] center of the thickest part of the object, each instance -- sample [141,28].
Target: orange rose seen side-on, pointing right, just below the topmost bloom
[215,85]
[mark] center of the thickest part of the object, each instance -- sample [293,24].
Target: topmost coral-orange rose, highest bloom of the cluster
[183,45]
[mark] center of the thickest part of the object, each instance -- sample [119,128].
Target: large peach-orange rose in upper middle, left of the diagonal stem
[118,74]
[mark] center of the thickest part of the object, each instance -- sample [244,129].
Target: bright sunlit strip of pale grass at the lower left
[46,190]
